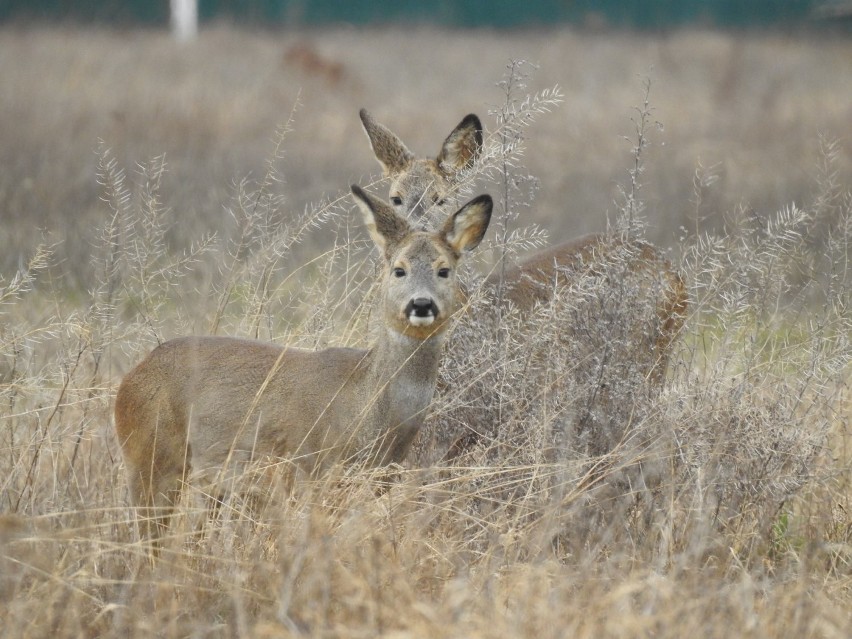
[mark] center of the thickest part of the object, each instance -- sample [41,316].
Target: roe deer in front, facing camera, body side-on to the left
[209,402]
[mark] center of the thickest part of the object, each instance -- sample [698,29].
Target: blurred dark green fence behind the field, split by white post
[641,14]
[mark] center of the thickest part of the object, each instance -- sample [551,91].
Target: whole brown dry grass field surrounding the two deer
[719,507]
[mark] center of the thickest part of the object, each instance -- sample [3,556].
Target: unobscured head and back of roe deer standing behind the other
[420,186]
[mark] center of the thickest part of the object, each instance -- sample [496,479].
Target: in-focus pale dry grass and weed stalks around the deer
[591,505]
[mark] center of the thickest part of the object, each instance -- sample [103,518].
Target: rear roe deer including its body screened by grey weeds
[613,306]
